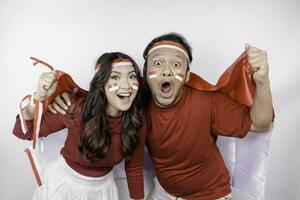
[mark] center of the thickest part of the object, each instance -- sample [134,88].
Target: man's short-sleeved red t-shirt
[182,142]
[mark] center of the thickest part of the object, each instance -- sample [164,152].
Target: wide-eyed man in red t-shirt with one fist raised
[185,122]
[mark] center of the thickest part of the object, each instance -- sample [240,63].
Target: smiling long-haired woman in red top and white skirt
[104,127]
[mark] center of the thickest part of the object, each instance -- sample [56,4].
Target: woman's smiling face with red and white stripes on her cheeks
[121,89]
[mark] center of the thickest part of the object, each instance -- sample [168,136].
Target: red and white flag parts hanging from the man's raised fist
[245,158]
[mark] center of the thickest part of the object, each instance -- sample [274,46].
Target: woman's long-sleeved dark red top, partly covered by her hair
[52,123]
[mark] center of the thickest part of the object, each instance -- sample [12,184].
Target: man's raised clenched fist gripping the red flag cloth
[257,58]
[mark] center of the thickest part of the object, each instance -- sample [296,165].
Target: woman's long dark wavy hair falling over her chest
[95,139]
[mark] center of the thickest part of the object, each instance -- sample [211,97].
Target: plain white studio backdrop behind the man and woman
[71,35]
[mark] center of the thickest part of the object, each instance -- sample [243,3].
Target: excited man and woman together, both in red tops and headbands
[120,114]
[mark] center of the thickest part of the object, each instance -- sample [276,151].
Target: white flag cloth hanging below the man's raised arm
[246,160]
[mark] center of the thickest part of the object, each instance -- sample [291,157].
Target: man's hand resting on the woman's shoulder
[60,104]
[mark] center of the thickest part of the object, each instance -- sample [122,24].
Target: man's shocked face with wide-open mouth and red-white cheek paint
[166,75]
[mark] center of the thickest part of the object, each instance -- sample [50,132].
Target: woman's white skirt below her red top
[61,182]
